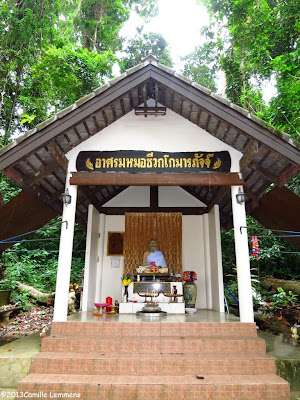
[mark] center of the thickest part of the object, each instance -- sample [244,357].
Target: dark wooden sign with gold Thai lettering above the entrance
[153,161]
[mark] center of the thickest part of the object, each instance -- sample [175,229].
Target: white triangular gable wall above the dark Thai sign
[171,133]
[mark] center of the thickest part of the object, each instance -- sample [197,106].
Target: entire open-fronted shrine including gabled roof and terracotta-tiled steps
[151,155]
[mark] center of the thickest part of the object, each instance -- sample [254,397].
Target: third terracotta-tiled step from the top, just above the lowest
[166,364]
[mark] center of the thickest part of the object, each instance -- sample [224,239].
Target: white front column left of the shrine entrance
[65,256]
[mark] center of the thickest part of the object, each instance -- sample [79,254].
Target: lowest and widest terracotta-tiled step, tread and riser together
[179,387]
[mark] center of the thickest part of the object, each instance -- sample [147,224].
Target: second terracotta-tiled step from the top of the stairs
[153,344]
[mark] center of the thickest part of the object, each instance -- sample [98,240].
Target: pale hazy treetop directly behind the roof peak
[143,45]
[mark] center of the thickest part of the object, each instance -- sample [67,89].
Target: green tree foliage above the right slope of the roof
[260,41]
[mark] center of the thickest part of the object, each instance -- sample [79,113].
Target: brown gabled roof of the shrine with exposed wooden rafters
[37,161]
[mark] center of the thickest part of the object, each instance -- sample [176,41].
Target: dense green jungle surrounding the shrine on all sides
[54,52]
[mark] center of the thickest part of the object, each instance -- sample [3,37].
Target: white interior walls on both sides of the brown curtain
[201,252]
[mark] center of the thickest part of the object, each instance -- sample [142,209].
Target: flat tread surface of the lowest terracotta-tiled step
[154,379]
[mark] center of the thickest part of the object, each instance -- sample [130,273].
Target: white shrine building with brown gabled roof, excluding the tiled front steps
[152,154]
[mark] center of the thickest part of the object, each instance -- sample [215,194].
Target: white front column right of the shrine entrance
[242,258]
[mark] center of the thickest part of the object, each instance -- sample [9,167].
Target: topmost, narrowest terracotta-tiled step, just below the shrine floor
[160,328]
